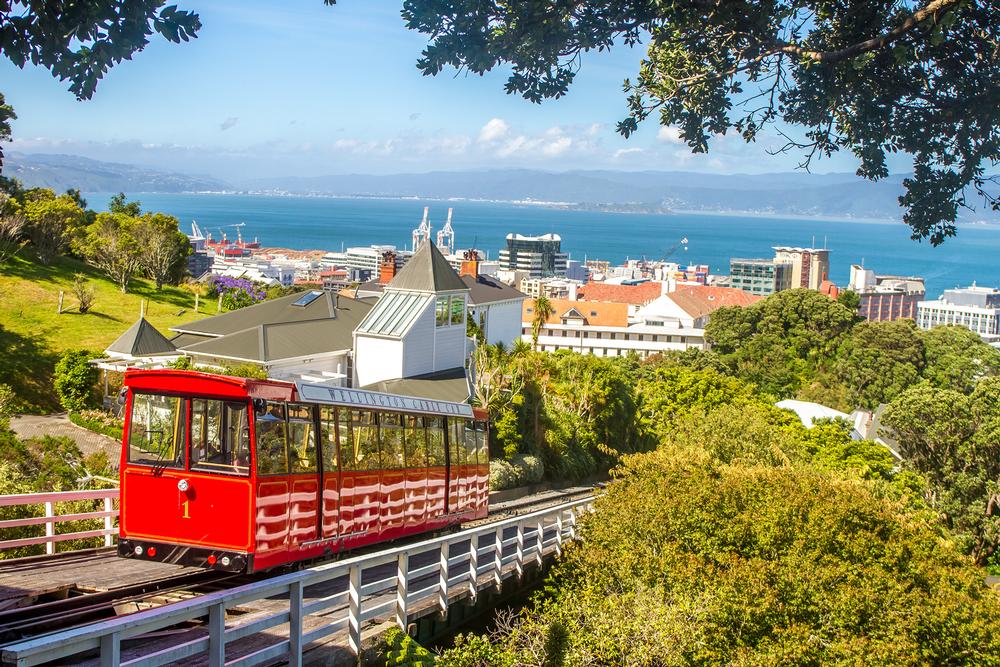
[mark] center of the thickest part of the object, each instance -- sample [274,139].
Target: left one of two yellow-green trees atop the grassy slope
[110,244]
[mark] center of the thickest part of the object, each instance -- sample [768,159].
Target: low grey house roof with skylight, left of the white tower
[264,342]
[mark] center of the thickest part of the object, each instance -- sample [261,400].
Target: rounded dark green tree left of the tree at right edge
[880,360]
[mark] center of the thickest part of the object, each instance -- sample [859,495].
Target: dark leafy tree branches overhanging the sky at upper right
[869,77]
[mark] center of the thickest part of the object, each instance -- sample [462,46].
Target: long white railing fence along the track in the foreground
[396,595]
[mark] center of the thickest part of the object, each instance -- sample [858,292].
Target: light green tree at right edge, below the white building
[957,358]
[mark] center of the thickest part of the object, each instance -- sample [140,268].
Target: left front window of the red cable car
[156,431]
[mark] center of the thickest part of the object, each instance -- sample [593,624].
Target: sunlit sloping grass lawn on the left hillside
[33,334]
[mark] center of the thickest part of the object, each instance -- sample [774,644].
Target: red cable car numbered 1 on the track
[244,475]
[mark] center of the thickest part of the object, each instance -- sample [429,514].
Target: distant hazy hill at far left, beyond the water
[61,172]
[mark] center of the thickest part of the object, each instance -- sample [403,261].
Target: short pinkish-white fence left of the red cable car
[47,504]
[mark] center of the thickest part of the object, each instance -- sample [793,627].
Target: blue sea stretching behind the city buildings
[304,223]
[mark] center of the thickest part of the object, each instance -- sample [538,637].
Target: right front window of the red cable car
[220,436]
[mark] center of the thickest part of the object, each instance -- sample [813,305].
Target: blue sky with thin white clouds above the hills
[303,89]
